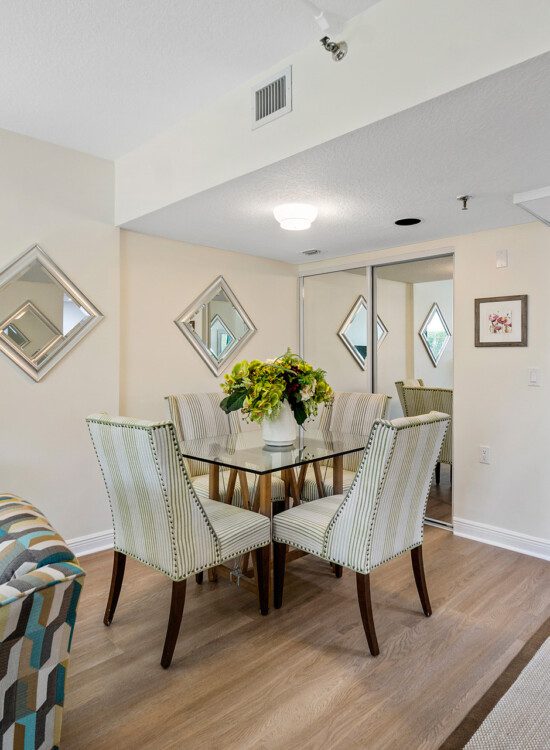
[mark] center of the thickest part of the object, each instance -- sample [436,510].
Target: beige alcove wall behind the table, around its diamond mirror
[159,279]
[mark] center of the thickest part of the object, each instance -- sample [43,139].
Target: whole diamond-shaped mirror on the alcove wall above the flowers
[216,325]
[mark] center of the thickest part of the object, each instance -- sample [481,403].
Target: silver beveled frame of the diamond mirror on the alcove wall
[217,366]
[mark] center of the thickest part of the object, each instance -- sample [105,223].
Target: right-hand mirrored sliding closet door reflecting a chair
[415,300]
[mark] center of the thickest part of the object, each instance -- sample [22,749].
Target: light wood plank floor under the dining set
[301,677]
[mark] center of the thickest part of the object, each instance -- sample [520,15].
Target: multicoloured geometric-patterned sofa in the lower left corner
[40,584]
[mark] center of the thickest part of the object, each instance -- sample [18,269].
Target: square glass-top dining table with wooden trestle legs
[245,453]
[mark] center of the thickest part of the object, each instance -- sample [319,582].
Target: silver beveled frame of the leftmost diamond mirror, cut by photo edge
[7,274]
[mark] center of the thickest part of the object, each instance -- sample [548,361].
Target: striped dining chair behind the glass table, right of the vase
[355,414]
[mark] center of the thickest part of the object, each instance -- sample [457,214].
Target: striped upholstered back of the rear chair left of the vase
[199,415]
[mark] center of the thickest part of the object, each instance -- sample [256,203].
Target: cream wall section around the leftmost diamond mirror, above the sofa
[62,200]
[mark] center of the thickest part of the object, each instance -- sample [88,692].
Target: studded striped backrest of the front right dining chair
[382,514]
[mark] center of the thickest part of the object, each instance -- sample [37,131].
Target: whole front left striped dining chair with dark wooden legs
[159,520]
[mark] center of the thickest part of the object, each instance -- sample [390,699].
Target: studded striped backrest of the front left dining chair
[157,517]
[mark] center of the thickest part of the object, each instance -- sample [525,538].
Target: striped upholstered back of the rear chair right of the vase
[354,413]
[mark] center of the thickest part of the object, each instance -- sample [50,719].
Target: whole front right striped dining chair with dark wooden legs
[380,517]
